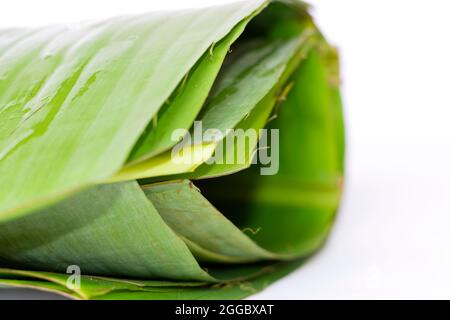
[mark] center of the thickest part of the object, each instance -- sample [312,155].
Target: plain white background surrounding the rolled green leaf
[392,237]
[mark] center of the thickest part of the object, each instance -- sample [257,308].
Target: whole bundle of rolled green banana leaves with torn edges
[90,179]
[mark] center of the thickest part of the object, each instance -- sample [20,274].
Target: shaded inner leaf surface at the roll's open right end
[293,210]
